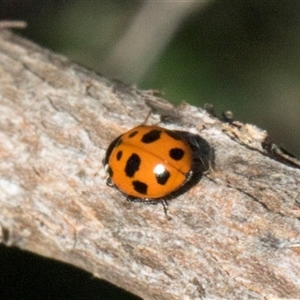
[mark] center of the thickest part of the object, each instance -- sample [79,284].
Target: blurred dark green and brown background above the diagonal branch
[238,55]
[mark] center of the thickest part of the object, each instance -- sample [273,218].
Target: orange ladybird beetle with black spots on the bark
[152,164]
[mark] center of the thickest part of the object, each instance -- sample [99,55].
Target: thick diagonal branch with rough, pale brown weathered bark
[235,235]
